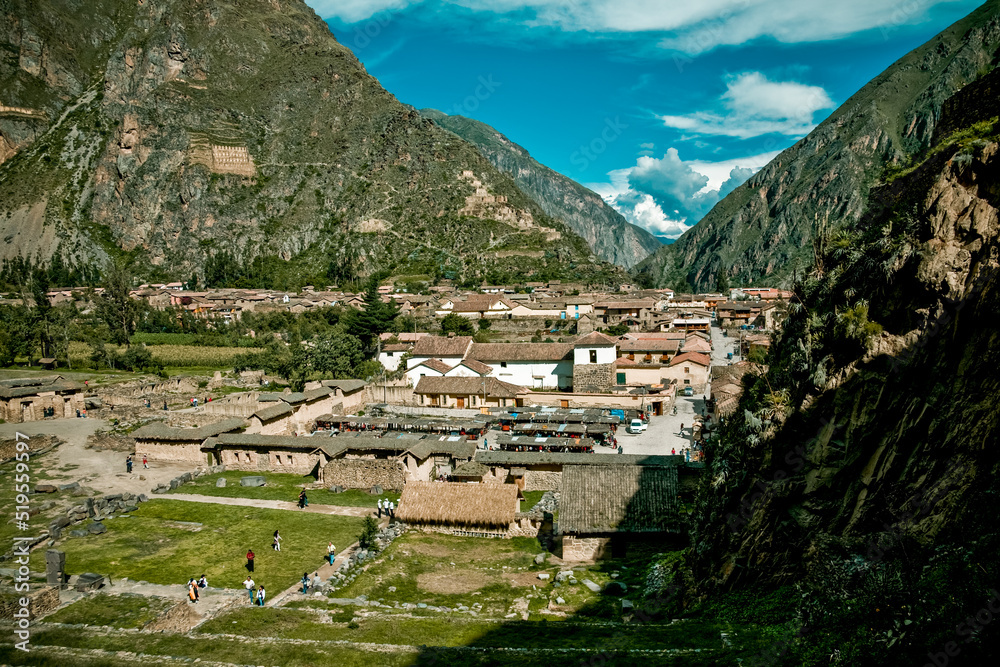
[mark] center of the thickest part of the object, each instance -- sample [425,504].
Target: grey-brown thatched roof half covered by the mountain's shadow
[618,499]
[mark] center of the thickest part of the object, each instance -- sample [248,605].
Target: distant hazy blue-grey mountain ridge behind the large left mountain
[610,235]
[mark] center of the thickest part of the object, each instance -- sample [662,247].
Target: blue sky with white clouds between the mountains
[661,106]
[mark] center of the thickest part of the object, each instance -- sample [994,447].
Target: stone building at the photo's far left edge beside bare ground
[34,399]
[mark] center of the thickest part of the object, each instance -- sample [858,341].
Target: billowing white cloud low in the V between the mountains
[667,195]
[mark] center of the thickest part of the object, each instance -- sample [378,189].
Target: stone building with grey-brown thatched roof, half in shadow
[601,508]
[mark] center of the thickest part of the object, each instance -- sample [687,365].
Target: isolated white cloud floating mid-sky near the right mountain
[754,106]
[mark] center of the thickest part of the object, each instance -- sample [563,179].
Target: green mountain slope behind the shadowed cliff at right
[764,230]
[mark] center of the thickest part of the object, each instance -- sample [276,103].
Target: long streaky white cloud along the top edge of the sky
[689,27]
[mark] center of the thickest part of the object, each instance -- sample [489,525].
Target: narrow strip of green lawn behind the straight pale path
[280,486]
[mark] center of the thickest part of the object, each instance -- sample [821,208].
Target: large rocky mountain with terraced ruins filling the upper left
[241,134]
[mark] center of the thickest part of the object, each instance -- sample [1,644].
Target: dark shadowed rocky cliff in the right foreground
[862,469]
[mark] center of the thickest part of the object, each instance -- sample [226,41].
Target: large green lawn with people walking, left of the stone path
[151,545]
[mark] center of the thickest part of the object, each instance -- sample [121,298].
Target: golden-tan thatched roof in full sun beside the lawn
[456,504]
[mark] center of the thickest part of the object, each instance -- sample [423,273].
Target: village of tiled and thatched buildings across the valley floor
[581,450]
